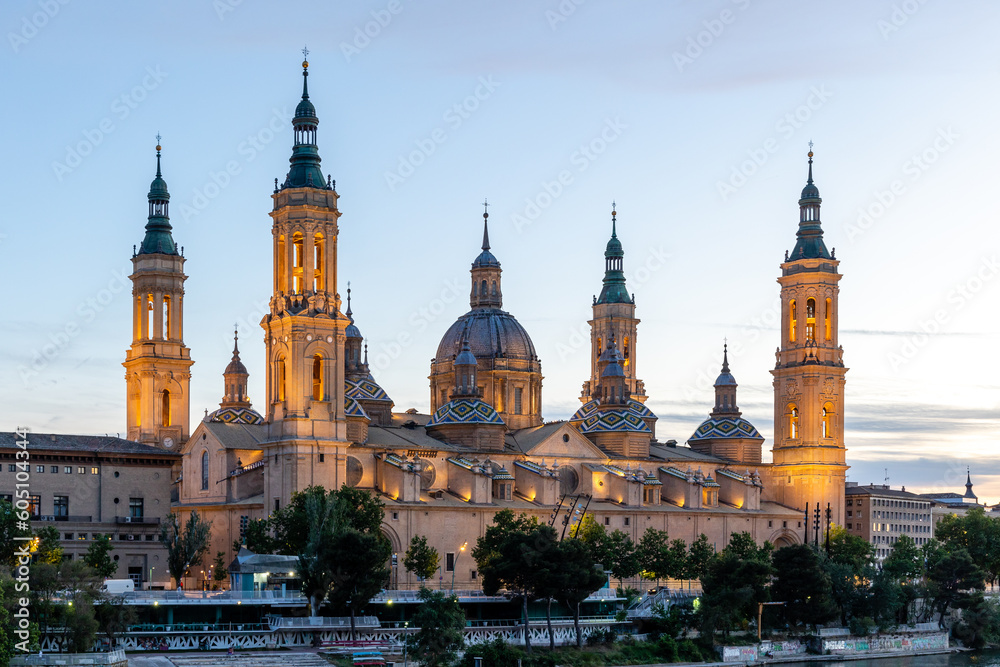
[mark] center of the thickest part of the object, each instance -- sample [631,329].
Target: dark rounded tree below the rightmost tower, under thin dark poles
[802,585]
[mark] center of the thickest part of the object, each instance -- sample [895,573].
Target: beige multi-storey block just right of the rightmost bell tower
[881,515]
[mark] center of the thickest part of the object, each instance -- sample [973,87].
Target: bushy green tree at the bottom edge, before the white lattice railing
[442,624]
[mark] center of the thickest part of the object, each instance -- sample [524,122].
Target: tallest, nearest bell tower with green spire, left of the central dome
[304,329]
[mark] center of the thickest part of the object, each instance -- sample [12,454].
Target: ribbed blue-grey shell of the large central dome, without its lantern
[492,333]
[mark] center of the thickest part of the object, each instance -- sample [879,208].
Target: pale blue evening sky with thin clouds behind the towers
[694,117]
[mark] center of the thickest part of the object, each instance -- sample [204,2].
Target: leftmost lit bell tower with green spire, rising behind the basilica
[158,364]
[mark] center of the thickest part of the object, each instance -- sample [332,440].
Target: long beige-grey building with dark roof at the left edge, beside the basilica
[88,486]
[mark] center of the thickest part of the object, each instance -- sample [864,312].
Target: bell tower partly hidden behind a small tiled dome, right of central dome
[614,318]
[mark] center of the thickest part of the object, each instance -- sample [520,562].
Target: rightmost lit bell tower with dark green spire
[809,375]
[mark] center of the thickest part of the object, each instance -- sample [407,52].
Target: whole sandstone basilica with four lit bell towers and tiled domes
[485,446]
